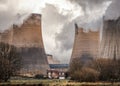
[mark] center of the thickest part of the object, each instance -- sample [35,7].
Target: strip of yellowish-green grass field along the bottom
[47,82]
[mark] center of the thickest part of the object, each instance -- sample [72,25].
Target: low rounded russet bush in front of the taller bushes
[85,75]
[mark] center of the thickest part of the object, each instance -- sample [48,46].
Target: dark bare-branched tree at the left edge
[10,61]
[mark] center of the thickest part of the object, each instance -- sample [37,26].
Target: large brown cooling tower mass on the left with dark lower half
[28,40]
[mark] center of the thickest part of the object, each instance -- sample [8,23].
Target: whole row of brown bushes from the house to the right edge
[100,69]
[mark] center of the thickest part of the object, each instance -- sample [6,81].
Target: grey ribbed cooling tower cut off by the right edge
[110,43]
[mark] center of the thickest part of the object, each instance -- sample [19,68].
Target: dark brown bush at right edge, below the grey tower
[108,68]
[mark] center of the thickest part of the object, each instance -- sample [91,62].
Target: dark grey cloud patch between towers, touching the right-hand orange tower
[64,39]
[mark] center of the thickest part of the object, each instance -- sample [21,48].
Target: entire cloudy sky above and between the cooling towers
[58,19]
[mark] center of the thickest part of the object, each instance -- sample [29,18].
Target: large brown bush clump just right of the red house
[81,70]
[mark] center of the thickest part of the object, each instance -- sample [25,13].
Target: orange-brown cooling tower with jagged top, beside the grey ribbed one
[86,44]
